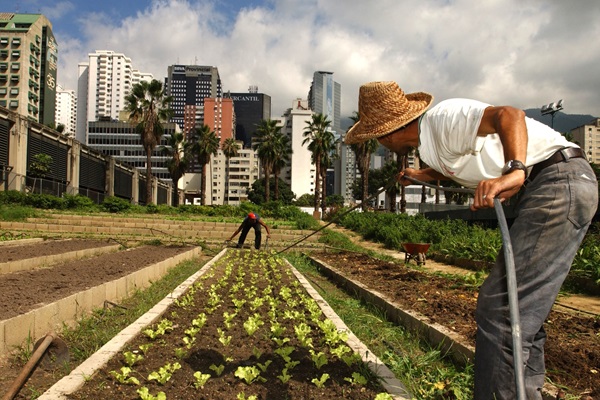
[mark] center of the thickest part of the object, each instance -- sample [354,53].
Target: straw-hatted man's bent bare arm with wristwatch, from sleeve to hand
[509,123]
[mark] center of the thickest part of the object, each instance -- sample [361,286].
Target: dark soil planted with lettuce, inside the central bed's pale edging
[237,278]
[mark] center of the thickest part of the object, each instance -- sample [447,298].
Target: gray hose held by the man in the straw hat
[511,285]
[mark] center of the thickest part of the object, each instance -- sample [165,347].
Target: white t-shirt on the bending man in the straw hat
[448,142]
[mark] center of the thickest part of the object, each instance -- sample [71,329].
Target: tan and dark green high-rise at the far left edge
[28,64]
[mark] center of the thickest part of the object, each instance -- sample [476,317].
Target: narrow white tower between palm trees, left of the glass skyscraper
[300,174]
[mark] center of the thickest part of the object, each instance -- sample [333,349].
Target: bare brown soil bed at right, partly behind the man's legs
[573,346]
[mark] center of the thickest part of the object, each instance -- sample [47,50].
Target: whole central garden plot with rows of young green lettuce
[245,329]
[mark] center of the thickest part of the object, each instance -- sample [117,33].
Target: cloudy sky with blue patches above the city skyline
[526,53]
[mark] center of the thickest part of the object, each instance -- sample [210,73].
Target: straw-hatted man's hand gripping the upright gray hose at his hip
[503,187]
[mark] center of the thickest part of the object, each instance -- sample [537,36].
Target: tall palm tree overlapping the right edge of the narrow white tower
[320,141]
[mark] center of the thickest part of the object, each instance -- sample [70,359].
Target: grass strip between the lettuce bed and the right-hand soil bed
[423,369]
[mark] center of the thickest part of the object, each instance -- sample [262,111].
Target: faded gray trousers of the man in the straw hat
[553,215]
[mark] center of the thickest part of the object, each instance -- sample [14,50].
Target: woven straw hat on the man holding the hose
[383,108]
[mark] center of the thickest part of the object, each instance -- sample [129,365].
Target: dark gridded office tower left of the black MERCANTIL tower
[189,85]
